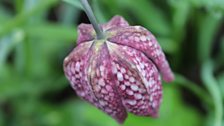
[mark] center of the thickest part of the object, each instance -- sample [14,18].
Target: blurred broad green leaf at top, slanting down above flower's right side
[155,19]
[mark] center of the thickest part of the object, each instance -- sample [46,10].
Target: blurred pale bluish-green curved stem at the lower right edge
[212,87]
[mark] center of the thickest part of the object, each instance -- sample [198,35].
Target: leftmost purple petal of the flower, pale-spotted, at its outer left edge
[75,71]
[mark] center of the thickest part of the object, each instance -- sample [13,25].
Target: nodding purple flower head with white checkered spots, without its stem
[120,73]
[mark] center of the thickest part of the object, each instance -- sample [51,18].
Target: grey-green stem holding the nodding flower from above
[92,18]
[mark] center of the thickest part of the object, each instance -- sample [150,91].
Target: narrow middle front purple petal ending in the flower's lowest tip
[103,84]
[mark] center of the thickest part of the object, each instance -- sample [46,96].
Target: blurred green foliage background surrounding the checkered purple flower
[35,36]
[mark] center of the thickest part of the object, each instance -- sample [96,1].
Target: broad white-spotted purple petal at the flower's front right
[138,80]
